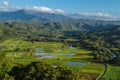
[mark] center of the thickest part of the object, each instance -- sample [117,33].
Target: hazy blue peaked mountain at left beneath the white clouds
[32,15]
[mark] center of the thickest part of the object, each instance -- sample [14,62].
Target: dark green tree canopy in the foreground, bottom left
[36,71]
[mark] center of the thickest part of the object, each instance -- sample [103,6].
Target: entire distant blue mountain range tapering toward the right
[45,16]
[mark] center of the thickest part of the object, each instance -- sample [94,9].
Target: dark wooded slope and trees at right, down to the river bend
[104,43]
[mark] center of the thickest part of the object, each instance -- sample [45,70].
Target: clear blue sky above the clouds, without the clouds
[73,6]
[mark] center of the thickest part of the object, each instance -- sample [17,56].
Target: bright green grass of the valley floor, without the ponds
[82,55]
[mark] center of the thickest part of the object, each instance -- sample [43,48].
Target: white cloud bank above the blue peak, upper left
[6,6]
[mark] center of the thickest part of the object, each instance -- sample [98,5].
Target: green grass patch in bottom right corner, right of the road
[113,73]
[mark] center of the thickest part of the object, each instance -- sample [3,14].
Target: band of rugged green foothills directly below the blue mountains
[48,28]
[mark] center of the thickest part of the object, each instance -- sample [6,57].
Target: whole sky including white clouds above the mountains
[109,8]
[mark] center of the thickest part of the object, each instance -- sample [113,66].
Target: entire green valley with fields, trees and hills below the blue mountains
[82,53]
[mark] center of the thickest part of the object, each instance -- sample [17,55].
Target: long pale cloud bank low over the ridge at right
[94,16]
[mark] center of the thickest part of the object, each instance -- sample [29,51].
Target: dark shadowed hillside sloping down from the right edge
[109,35]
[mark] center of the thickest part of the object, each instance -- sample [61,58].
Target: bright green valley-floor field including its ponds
[23,52]
